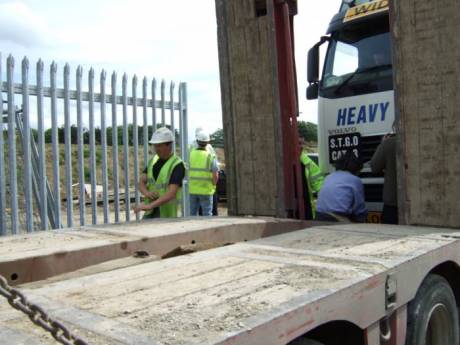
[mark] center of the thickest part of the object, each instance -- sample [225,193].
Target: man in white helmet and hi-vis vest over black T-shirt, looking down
[161,181]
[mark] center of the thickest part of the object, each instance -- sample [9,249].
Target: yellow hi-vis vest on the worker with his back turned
[200,173]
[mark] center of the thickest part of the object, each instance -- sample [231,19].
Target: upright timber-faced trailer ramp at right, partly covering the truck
[427,82]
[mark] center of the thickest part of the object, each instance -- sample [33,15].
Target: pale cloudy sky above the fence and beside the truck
[175,40]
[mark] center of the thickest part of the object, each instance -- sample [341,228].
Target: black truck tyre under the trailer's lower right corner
[432,317]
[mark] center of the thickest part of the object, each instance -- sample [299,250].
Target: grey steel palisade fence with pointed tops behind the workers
[17,119]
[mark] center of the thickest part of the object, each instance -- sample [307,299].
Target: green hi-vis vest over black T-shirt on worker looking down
[160,185]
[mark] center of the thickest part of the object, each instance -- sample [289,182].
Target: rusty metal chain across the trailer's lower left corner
[37,315]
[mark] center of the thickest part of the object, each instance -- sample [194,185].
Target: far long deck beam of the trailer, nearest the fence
[37,256]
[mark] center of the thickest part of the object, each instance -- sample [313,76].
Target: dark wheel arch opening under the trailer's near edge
[332,333]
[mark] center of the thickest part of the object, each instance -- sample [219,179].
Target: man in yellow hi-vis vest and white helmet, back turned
[203,176]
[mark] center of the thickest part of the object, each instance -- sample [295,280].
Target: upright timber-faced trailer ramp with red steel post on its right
[250,106]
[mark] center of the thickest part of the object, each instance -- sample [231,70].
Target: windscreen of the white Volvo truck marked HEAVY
[358,61]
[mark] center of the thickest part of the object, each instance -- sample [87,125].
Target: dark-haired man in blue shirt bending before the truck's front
[341,197]
